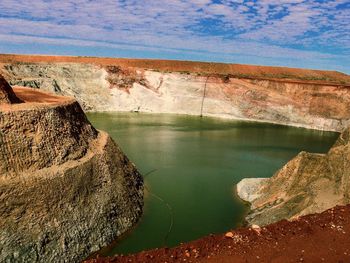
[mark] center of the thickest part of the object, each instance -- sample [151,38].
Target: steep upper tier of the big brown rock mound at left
[52,135]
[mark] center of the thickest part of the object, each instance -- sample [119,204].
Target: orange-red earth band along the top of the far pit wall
[204,68]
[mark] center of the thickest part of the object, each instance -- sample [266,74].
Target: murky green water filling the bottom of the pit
[198,161]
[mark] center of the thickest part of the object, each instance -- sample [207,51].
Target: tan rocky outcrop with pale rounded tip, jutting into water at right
[309,183]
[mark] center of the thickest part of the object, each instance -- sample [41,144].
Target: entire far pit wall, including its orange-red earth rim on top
[297,97]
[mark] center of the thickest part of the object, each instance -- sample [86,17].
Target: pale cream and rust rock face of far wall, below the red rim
[113,88]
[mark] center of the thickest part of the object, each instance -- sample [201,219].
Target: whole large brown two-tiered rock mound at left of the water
[66,189]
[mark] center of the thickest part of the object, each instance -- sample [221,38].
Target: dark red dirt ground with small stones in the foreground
[321,237]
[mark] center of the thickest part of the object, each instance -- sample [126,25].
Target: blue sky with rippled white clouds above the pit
[295,33]
